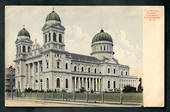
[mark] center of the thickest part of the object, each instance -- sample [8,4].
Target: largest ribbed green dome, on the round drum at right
[102,36]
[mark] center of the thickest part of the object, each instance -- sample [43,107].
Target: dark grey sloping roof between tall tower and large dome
[86,58]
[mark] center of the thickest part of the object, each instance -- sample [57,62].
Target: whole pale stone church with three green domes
[51,67]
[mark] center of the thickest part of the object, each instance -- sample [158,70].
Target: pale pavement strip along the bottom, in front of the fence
[20,102]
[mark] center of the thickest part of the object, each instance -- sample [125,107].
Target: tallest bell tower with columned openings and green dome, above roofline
[53,32]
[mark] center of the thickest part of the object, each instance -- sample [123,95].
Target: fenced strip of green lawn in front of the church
[125,98]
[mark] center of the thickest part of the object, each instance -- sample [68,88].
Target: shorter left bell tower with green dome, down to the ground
[23,48]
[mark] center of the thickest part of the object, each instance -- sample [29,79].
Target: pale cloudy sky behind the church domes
[124,24]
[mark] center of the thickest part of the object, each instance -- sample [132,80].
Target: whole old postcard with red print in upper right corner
[84,56]
